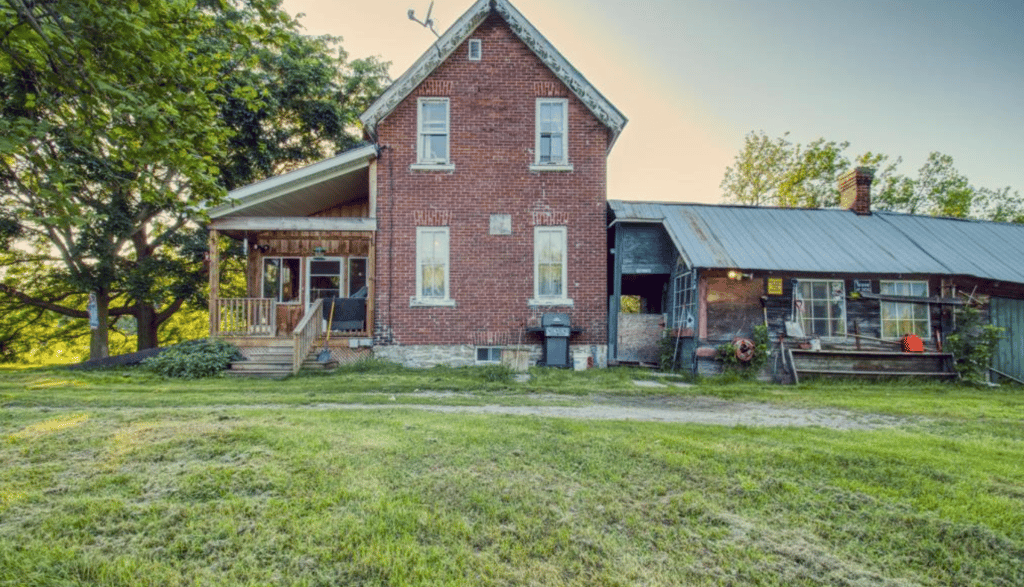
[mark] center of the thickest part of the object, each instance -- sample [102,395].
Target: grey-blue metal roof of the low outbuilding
[834,241]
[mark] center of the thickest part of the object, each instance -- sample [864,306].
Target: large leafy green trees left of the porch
[124,120]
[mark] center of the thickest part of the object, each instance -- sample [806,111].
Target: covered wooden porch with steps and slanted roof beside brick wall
[309,239]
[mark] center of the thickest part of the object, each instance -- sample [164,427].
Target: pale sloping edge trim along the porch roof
[279,186]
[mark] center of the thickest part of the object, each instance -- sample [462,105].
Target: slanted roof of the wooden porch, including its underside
[304,192]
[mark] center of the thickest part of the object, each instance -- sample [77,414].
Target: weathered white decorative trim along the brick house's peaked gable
[459,32]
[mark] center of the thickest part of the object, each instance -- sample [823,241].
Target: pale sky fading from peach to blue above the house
[695,77]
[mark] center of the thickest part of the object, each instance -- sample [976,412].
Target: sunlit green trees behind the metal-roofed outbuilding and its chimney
[779,173]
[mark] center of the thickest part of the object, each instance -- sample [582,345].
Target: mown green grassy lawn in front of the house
[122,479]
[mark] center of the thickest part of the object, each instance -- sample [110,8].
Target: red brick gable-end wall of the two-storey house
[493,114]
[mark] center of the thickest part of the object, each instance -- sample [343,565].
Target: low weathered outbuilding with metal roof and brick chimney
[849,281]
